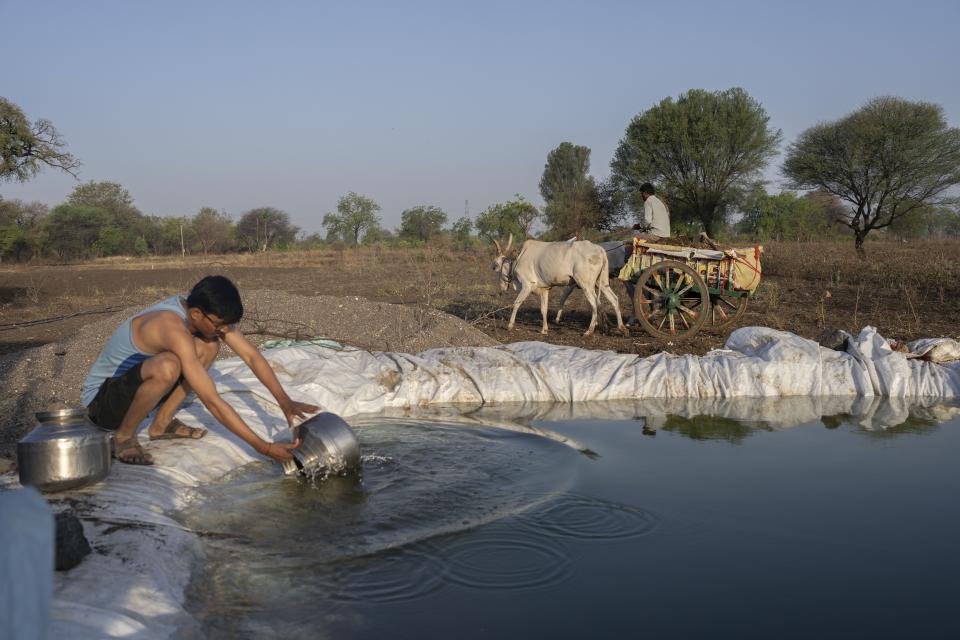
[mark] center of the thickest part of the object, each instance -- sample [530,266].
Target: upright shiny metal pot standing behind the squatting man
[64,451]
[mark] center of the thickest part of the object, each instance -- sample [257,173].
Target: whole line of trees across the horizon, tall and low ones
[889,166]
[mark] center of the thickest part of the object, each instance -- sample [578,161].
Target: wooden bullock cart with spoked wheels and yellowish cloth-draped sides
[680,290]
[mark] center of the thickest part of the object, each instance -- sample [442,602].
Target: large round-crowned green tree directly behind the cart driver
[704,149]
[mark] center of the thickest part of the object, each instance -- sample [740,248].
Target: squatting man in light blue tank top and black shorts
[154,359]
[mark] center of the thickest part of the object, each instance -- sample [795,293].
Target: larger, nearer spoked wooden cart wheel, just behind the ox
[671,300]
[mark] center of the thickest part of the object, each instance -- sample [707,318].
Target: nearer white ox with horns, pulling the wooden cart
[542,265]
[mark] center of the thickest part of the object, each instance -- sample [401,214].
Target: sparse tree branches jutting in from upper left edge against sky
[27,147]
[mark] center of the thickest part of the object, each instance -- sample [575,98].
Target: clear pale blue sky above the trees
[236,105]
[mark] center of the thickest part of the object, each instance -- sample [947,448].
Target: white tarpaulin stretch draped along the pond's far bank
[757,362]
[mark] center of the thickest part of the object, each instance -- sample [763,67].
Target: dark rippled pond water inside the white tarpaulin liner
[750,519]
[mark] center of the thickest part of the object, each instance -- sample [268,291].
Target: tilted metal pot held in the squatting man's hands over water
[329,448]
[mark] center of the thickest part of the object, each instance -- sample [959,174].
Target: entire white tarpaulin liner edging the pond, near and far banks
[134,585]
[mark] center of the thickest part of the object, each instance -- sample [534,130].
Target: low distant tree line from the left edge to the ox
[100,219]
